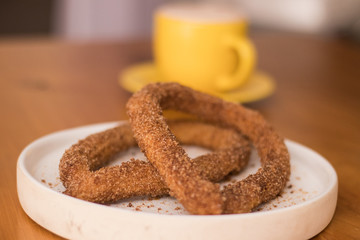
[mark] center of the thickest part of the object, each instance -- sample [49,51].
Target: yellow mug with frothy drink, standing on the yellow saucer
[202,46]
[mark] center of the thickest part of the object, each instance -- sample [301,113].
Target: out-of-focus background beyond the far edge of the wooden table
[129,19]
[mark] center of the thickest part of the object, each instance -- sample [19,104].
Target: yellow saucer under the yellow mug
[259,86]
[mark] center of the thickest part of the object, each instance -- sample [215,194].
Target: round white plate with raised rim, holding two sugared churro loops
[304,209]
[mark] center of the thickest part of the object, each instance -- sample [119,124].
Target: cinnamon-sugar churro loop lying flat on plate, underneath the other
[83,175]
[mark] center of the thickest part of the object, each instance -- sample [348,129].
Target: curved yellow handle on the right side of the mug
[246,62]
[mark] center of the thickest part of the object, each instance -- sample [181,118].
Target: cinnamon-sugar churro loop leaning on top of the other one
[198,195]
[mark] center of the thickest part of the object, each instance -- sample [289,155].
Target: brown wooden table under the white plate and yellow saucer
[50,85]
